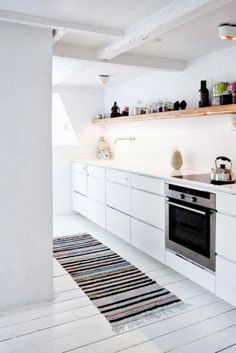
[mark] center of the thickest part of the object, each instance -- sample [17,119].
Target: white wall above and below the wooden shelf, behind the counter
[199,139]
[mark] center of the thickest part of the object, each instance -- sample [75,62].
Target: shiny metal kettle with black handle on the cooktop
[221,174]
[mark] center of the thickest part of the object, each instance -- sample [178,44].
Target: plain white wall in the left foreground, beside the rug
[25,165]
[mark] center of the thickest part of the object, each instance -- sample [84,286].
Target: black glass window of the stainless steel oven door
[190,229]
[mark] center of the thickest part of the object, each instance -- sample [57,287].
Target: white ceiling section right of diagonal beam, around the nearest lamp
[193,39]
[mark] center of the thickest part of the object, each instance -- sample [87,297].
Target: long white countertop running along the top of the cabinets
[161,172]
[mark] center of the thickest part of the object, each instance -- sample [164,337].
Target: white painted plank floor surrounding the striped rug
[72,324]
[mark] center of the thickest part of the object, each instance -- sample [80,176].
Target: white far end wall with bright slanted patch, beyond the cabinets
[73,137]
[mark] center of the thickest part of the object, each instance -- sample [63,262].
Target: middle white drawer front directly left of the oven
[148,208]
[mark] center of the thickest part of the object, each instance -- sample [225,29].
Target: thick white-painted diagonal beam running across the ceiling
[169,17]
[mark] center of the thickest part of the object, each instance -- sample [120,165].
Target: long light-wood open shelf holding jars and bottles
[217,110]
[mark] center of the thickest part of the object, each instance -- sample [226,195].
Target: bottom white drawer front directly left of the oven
[148,239]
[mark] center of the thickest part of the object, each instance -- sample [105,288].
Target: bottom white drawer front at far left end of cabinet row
[93,210]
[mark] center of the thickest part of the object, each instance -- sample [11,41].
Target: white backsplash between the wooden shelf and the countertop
[199,139]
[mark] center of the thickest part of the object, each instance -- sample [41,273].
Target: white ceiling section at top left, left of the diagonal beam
[118,14]
